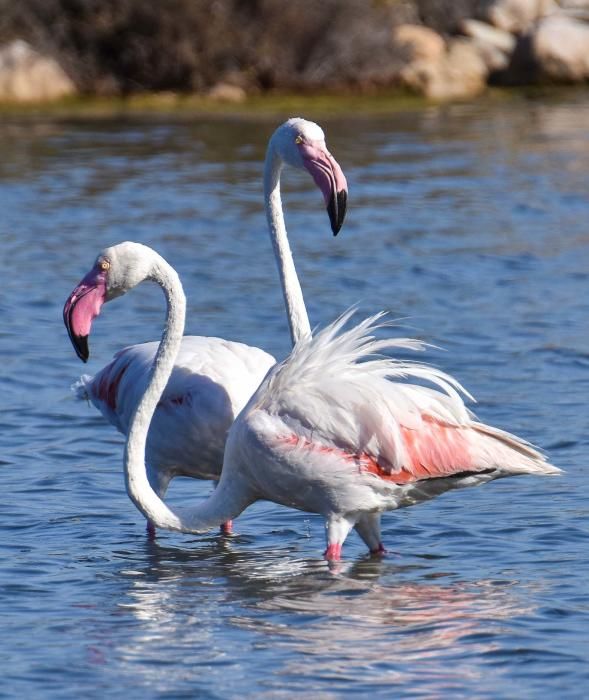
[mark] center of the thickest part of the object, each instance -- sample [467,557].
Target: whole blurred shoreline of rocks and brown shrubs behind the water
[226,50]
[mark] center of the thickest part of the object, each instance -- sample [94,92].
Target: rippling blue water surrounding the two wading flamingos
[469,222]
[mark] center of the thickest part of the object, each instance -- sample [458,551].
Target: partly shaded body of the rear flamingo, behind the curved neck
[211,381]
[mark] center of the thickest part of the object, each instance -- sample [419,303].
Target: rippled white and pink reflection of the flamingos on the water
[364,622]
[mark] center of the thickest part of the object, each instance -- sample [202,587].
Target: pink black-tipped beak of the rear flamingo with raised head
[330,179]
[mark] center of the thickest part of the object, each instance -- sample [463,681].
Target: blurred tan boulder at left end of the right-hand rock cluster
[460,73]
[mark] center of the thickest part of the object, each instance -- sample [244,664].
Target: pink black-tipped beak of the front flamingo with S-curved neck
[82,307]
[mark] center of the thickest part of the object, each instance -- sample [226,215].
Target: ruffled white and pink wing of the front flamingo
[334,396]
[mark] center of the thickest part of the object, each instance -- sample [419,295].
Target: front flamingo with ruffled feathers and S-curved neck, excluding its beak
[335,429]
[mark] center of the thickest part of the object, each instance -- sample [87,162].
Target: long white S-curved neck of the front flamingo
[225,503]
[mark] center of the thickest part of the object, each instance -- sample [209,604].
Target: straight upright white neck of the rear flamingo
[298,320]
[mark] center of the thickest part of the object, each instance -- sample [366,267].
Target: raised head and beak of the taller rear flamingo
[301,144]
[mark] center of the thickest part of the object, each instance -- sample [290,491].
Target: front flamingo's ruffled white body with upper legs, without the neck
[339,430]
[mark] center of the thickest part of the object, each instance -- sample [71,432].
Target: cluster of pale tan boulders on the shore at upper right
[511,42]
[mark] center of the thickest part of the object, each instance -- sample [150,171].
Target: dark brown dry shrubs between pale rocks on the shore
[124,46]
